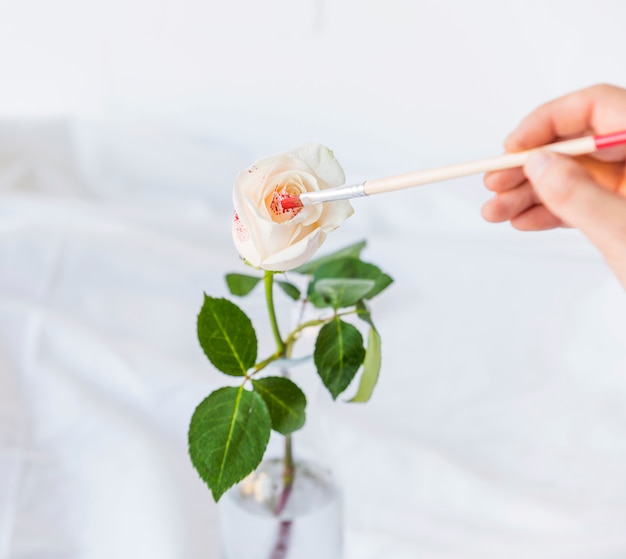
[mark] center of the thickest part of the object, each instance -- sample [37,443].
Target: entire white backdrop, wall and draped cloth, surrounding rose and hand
[498,425]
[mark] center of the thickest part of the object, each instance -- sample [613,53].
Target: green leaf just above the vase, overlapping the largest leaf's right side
[285,402]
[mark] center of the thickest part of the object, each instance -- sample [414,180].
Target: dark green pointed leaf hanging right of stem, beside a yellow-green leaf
[338,354]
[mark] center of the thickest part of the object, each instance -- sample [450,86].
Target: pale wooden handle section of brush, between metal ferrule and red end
[578,146]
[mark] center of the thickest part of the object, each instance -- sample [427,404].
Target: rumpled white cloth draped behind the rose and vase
[497,429]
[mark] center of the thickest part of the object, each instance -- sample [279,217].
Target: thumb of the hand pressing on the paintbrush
[568,191]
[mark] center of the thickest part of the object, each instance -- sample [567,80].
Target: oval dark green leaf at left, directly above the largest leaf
[227,336]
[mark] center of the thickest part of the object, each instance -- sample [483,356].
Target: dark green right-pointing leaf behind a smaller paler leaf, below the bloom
[348,268]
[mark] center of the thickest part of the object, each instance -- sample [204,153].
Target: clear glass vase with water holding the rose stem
[263,517]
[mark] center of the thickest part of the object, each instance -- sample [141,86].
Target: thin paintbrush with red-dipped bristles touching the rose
[578,146]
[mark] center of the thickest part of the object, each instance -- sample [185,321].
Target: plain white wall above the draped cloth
[443,79]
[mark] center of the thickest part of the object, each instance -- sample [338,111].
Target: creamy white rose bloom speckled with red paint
[271,237]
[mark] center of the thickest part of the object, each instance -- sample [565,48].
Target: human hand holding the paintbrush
[551,190]
